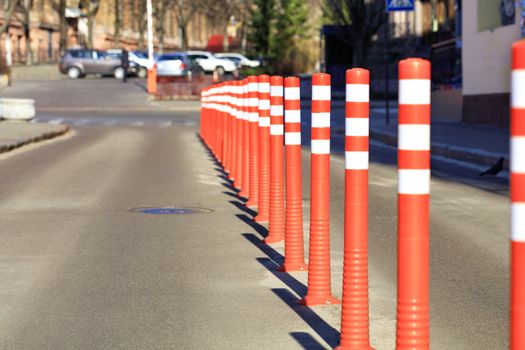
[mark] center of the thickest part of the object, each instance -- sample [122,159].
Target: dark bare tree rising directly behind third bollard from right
[359,20]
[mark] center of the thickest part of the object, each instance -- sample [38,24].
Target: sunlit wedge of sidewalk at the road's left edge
[15,134]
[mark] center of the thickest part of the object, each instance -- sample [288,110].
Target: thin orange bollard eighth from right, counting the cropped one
[253,112]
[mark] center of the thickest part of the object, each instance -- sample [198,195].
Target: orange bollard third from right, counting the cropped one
[355,326]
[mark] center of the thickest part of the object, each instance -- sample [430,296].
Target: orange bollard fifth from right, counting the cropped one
[293,235]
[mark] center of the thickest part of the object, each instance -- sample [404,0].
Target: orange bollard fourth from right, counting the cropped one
[319,279]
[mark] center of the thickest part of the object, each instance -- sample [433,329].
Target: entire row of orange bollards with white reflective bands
[253,128]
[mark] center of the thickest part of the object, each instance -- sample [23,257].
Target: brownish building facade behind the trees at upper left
[44,30]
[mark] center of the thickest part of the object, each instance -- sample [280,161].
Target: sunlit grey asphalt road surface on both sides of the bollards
[79,269]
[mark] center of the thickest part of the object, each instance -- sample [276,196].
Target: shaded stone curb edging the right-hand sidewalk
[476,156]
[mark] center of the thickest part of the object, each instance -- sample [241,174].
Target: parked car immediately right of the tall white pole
[177,64]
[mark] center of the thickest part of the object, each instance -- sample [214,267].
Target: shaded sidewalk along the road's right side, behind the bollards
[482,145]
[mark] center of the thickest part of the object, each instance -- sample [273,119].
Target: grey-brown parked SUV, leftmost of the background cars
[77,63]
